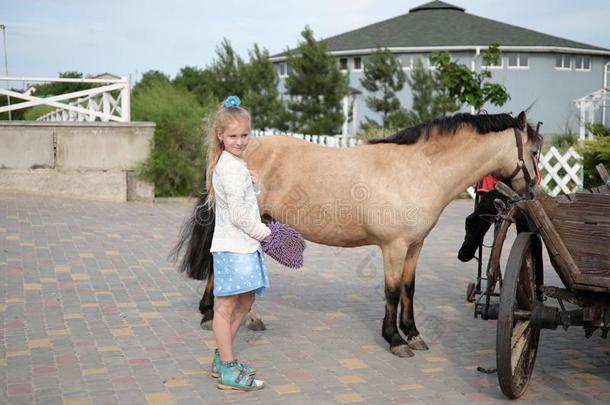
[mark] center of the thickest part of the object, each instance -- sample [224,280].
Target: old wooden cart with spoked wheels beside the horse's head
[575,229]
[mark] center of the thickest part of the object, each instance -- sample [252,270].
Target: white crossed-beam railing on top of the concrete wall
[109,102]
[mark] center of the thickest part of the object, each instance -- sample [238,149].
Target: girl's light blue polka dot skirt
[236,273]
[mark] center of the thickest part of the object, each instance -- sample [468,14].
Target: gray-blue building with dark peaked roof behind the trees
[536,68]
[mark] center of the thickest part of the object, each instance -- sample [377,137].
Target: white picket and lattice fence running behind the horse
[561,172]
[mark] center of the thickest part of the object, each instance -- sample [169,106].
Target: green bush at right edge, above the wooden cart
[594,152]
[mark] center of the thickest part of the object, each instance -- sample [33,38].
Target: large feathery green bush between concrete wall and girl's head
[177,159]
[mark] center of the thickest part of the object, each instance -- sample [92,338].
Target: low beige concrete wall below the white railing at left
[92,160]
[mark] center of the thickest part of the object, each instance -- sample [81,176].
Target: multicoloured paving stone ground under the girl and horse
[92,313]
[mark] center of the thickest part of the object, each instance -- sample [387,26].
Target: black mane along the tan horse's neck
[482,123]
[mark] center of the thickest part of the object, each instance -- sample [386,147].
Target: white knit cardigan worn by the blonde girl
[238,226]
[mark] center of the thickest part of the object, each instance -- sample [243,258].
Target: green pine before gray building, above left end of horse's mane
[384,77]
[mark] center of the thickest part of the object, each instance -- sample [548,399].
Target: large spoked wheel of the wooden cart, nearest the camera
[516,339]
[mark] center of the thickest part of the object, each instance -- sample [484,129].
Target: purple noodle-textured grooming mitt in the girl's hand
[285,245]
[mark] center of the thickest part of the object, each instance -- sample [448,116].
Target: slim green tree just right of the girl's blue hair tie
[261,95]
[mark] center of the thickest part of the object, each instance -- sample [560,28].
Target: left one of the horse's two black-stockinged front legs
[393,261]
